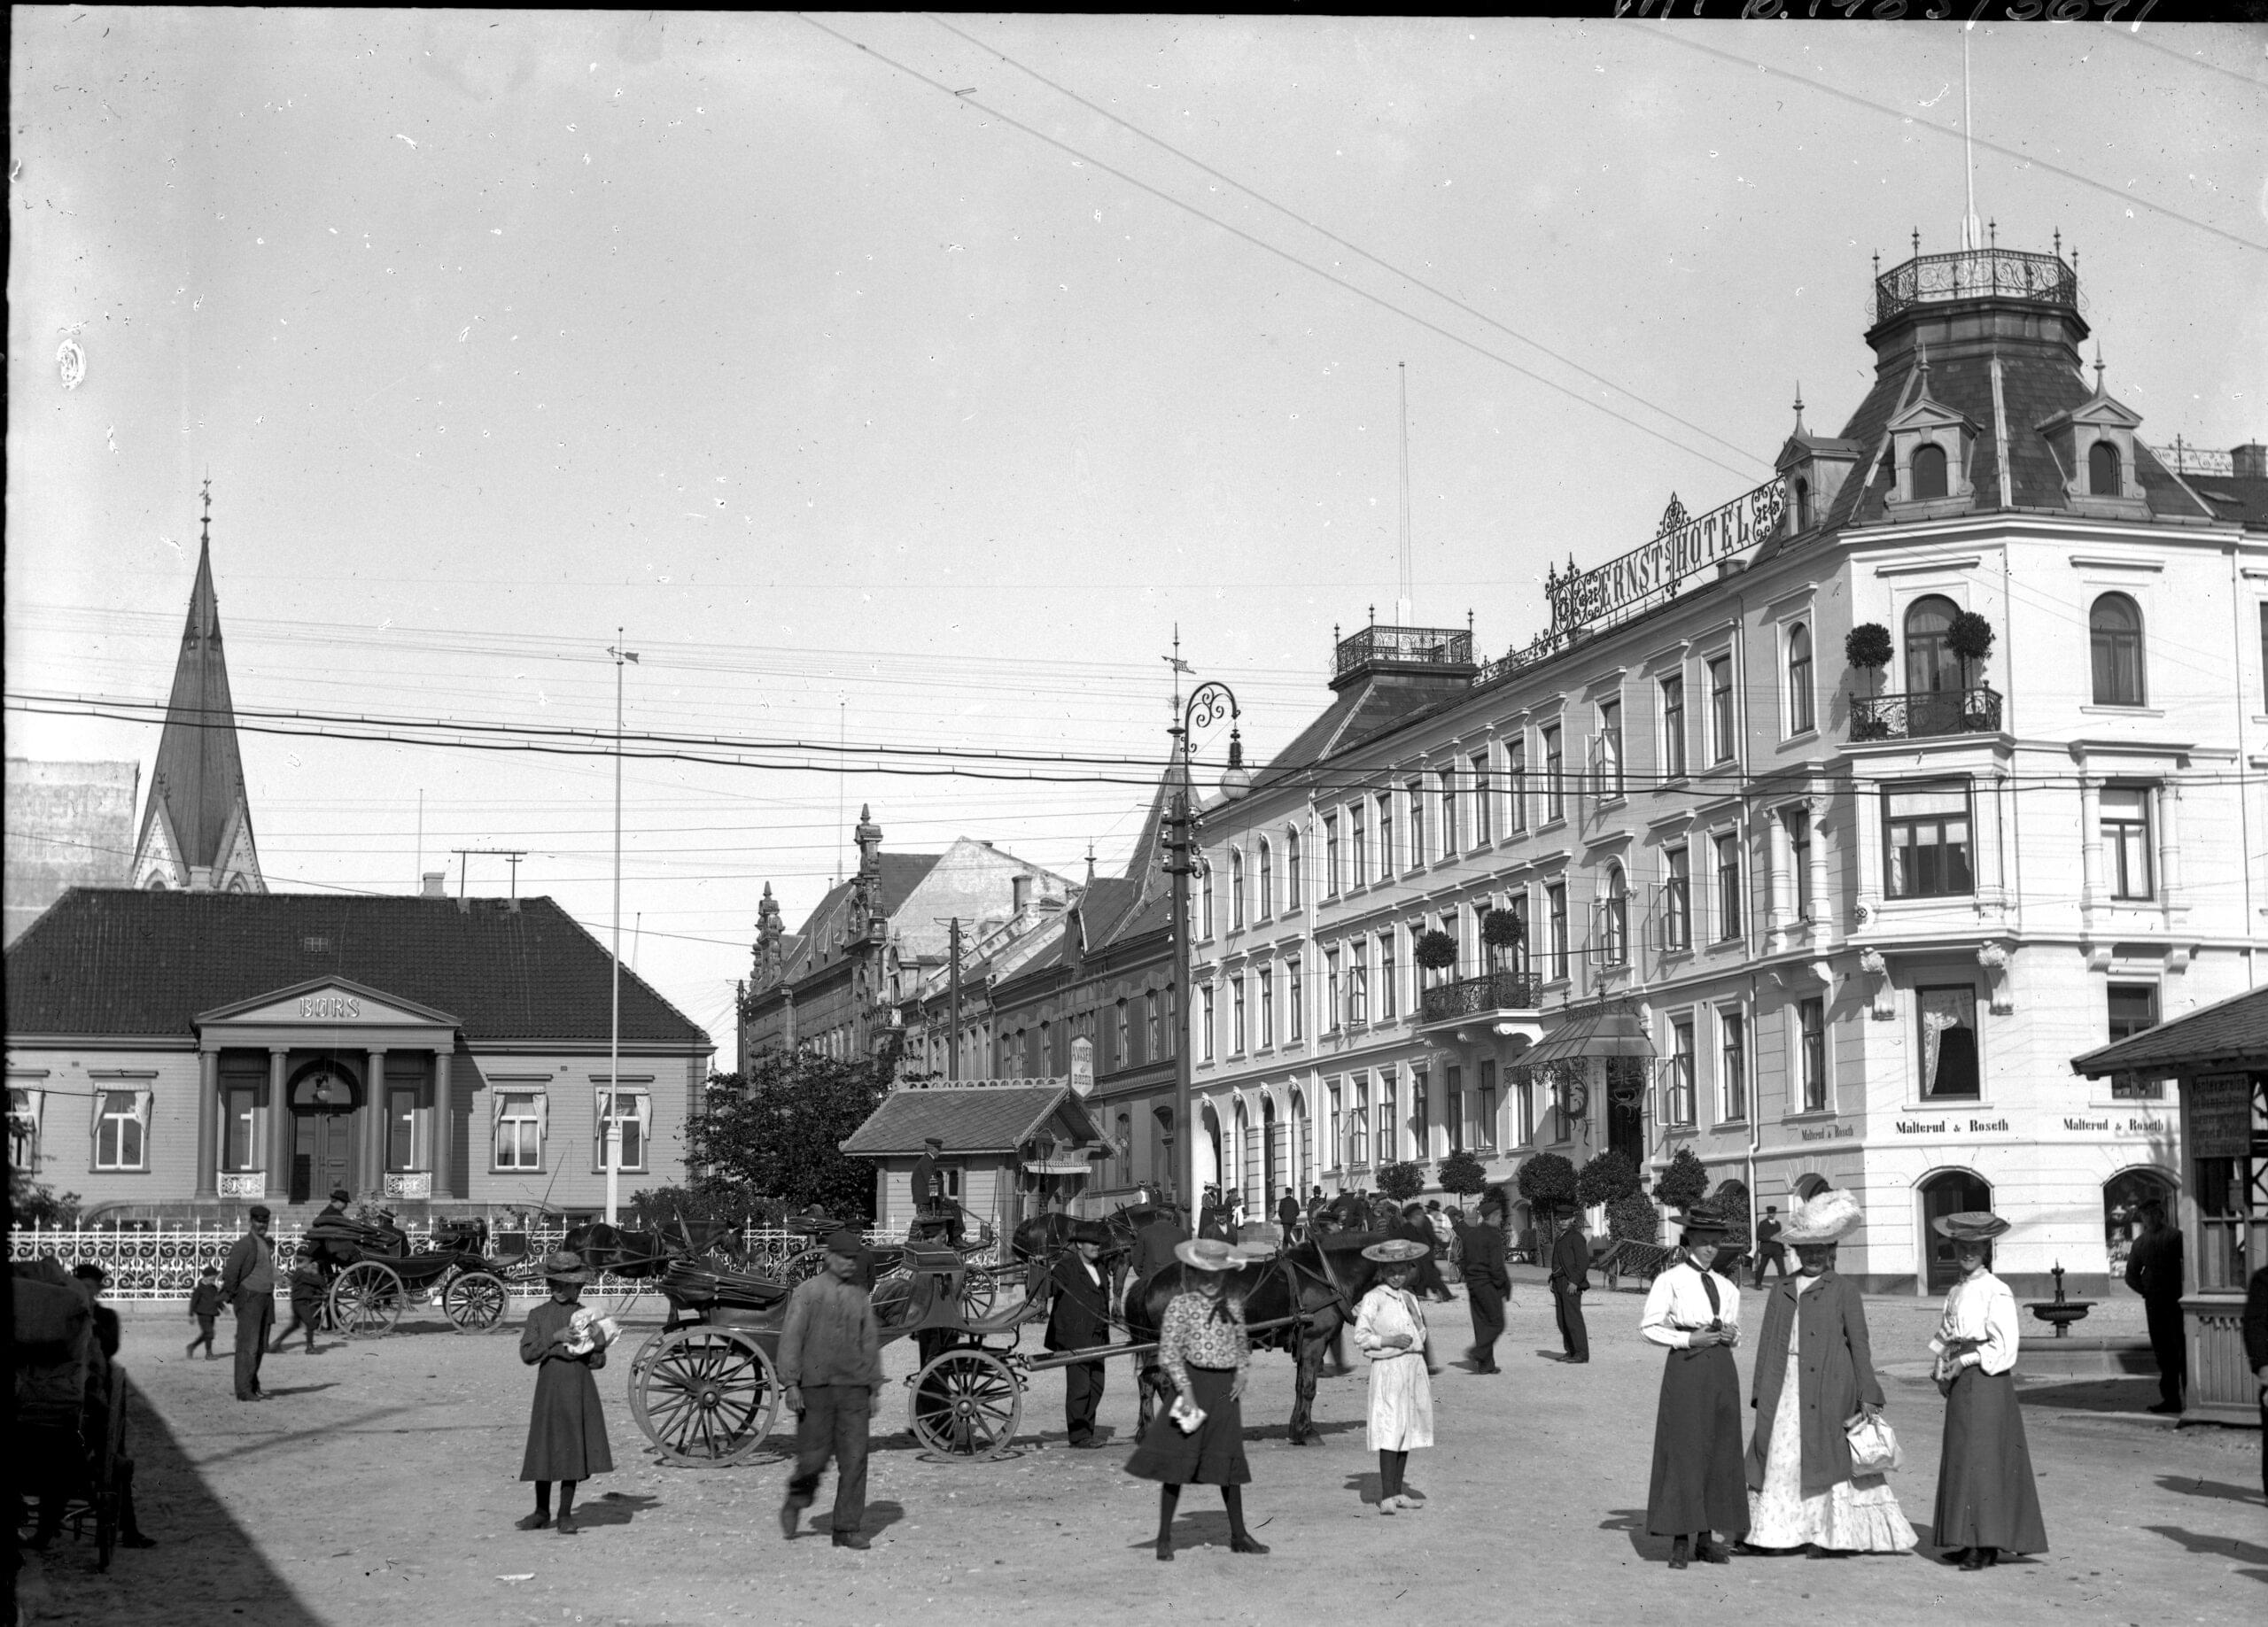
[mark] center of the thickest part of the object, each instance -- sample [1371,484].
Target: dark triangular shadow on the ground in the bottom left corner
[178,1581]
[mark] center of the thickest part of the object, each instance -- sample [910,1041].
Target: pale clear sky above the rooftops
[904,386]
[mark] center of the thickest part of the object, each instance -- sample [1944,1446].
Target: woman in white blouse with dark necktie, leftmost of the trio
[1698,1485]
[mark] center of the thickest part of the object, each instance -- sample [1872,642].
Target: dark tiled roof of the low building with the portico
[121,962]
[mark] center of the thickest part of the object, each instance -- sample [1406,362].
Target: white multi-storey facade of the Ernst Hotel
[1800,887]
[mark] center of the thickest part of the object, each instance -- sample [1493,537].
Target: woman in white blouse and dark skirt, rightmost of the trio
[1986,1497]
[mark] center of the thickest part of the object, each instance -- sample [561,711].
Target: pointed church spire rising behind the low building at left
[198,792]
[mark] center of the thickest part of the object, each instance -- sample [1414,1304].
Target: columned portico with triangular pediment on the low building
[325,1084]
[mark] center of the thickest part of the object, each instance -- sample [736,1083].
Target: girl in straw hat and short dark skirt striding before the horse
[1208,1356]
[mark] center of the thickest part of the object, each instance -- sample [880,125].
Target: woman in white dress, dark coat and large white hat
[1813,1377]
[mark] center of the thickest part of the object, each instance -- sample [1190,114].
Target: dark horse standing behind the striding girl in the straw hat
[1312,1288]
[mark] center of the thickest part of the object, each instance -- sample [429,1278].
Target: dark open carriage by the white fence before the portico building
[373,1275]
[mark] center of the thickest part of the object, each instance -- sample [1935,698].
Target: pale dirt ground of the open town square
[380,1488]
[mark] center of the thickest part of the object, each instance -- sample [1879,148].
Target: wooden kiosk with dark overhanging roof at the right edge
[2219,1057]
